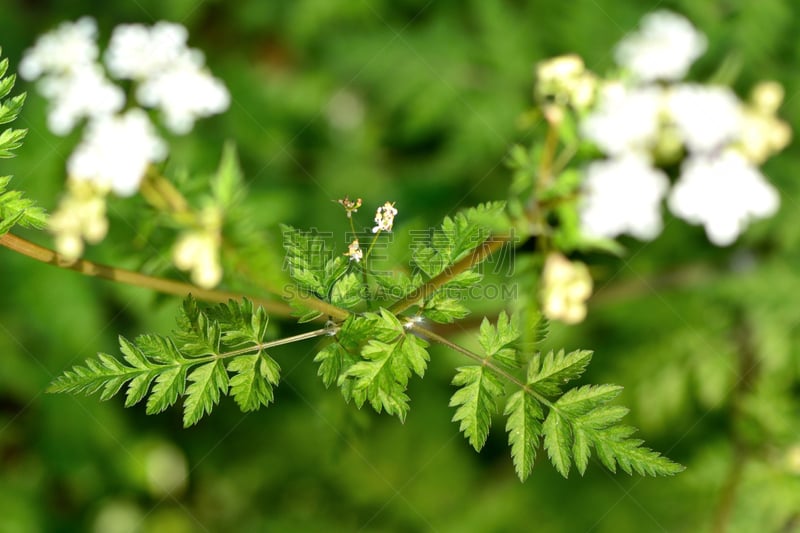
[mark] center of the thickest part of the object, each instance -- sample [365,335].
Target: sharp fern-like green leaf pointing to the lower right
[576,421]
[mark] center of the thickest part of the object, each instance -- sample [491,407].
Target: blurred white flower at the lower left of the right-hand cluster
[623,195]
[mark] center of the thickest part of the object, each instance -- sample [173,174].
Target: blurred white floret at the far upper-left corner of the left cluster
[70,46]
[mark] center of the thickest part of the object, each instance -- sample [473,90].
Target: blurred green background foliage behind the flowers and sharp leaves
[417,102]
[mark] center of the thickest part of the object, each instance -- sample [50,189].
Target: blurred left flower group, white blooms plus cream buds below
[119,145]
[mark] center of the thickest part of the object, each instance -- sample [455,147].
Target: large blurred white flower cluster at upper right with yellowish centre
[651,117]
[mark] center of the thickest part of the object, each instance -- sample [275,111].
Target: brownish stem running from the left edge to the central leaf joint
[97,270]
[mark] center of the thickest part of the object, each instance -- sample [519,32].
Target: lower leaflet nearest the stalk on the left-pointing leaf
[252,384]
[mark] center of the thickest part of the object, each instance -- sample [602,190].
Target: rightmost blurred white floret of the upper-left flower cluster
[184,93]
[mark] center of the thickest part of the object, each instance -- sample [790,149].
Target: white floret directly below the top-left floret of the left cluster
[83,92]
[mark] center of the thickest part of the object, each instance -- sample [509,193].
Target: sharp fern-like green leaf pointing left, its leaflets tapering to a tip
[213,353]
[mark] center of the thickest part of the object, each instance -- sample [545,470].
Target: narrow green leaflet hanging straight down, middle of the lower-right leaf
[524,429]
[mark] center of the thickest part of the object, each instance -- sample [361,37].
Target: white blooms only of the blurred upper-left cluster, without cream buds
[116,149]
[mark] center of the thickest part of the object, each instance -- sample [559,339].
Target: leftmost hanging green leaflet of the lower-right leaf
[476,402]
